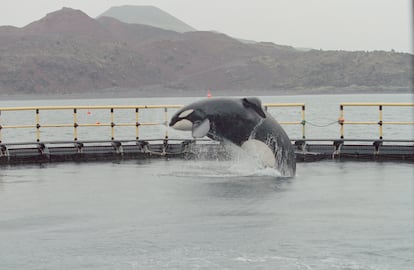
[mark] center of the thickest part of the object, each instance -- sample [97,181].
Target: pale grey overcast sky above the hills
[319,24]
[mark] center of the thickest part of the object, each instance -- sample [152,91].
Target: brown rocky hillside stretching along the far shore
[69,52]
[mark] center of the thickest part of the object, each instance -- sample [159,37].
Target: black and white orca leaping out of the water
[244,122]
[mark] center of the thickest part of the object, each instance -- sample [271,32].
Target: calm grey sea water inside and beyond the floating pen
[208,214]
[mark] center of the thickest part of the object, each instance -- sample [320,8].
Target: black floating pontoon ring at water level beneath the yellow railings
[312,150]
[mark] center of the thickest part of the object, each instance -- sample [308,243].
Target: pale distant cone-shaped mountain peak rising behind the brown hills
[147,15]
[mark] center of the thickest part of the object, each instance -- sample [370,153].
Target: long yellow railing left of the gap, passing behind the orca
[136,109]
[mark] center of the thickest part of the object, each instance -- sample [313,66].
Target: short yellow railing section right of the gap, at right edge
[342,122]
